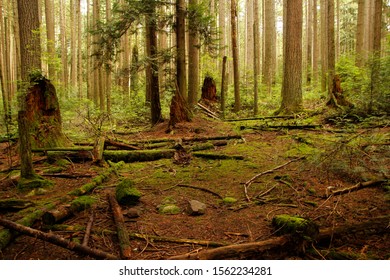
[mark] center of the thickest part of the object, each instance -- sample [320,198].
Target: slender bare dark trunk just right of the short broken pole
[236,70]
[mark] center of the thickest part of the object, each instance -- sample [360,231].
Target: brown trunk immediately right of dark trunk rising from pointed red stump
[193,56]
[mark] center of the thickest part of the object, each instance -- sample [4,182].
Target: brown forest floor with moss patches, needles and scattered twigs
[316,161]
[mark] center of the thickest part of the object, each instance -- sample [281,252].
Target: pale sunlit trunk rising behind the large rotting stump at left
[50,24]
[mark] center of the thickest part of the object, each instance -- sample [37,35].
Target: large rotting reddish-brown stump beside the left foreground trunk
[43,114]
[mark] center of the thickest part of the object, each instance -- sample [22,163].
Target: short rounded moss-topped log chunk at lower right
[297,226]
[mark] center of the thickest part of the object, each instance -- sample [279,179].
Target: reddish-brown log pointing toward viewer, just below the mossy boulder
[123,236]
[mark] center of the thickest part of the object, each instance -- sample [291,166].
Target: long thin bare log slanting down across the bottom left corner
[57,240]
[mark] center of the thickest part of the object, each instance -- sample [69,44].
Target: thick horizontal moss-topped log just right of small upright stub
[138,156]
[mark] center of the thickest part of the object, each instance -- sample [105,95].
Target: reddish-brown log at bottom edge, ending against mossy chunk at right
[242,251]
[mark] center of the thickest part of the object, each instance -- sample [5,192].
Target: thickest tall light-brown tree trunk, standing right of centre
[292,76]
